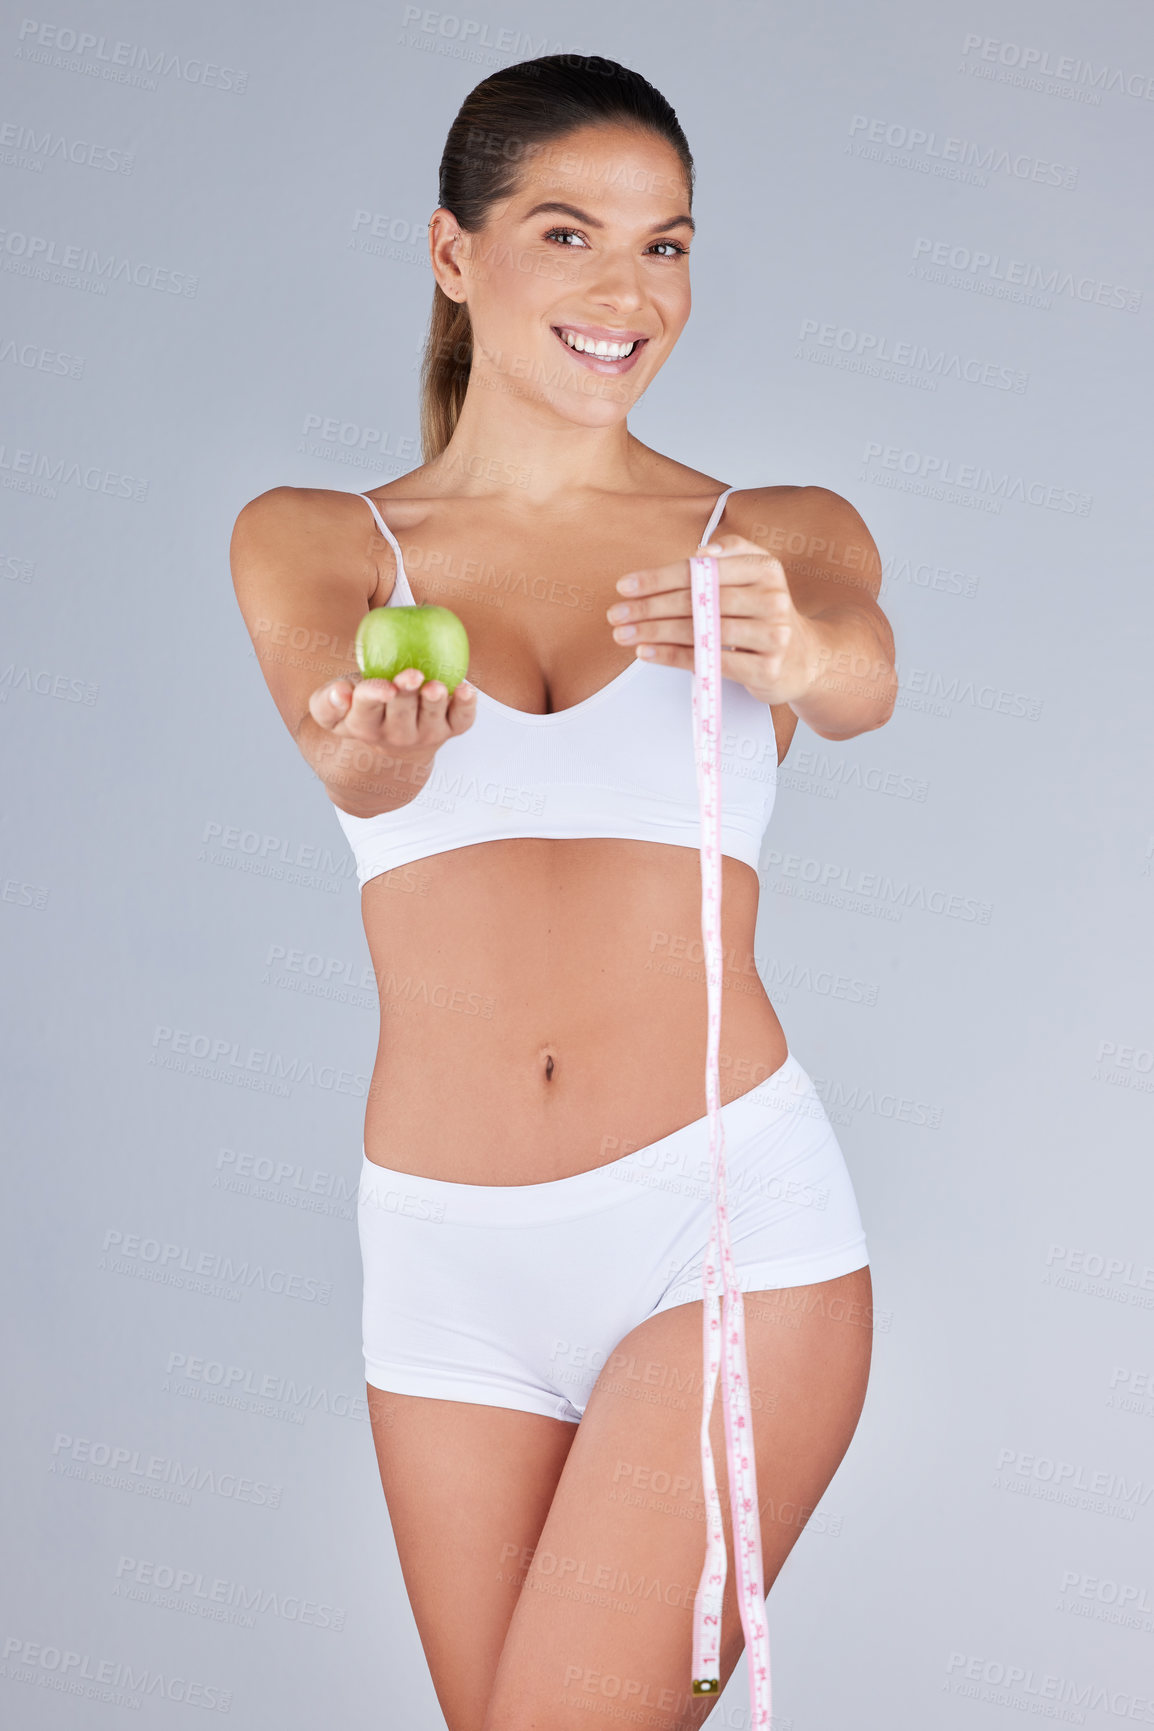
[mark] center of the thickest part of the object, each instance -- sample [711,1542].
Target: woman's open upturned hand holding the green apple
[409,716]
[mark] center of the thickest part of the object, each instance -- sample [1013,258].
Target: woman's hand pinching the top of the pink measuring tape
[767,647]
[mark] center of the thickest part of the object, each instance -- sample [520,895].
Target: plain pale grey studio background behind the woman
[923,278]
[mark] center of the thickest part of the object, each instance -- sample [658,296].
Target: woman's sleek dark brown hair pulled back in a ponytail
[497,125]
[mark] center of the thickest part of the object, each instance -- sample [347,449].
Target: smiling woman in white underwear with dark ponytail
[535,1181]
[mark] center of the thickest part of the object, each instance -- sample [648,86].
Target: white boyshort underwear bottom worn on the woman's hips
[515,1296]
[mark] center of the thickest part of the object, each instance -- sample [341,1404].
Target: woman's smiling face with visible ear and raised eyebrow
[593,247]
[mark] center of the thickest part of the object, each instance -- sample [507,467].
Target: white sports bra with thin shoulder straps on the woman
[619,764]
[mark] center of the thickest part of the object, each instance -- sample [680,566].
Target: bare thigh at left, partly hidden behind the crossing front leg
[468,1490]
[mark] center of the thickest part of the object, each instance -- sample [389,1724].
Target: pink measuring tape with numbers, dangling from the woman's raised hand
[726,1332]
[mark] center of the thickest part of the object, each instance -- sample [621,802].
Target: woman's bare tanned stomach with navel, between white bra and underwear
[544,1007]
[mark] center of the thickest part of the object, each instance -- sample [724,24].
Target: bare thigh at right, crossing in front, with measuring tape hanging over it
[605,1619]
